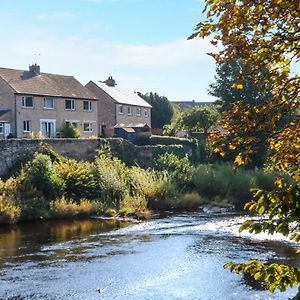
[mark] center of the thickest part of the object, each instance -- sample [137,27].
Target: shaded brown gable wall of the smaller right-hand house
[106,107]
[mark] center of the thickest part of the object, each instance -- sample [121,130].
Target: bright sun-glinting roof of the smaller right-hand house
[123,96]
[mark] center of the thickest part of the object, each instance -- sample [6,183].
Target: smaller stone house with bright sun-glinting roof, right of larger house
[118,107]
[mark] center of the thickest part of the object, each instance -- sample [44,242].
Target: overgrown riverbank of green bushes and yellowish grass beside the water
[51,186]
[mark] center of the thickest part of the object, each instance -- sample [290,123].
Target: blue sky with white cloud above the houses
[141,43]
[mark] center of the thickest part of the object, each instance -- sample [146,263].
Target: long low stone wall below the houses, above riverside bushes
[16,151]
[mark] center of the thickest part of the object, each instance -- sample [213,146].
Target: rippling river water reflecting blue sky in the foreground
[176,257]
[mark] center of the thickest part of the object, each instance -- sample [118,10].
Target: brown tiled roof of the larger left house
[45,84]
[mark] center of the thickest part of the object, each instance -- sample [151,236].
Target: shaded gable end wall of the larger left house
[7,101]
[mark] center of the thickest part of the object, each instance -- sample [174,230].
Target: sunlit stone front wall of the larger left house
[58,113]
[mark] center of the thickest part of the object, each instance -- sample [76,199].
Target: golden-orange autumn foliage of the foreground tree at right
[265,35]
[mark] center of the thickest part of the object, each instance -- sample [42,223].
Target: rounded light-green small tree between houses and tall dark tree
[199,119]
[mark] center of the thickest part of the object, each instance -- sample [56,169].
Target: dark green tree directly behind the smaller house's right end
[162,109]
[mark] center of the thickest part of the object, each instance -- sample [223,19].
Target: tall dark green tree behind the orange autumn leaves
[227,75]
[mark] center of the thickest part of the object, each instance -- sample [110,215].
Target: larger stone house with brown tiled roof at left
[32,102]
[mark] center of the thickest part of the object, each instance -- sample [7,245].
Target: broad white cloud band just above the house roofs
[179,69]
